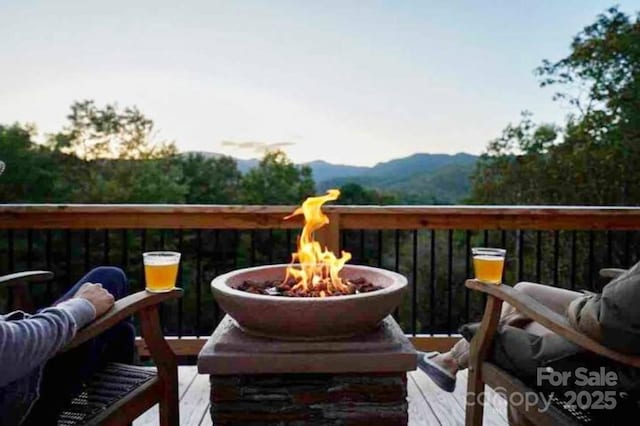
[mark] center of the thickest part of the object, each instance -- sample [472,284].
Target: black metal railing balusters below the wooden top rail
[436,262]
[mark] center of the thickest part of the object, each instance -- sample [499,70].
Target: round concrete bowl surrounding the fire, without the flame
[308,318]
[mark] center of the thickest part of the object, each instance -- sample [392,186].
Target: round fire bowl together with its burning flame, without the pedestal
[322,299]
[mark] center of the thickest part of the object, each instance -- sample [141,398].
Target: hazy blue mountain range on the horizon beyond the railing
[416,179]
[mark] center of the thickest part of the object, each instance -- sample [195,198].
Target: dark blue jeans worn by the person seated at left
[64,375]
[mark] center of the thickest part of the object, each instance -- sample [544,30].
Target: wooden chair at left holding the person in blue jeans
[119,393]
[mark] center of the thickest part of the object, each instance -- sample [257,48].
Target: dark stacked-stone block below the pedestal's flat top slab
[310,399]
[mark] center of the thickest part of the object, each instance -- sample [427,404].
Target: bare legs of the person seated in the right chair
[555,298]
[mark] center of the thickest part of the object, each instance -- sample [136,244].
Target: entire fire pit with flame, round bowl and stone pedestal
[309,343]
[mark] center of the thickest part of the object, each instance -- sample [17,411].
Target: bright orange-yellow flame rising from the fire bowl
[318,271]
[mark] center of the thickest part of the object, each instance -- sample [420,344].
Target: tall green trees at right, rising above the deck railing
[593,158]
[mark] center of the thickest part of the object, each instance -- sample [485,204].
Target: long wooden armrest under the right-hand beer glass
[555,322]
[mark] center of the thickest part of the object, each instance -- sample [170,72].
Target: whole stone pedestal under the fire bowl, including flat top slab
[357,381]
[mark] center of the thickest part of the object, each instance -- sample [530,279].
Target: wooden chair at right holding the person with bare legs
[482,371]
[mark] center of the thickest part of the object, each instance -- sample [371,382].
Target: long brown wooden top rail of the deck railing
[137,216]
